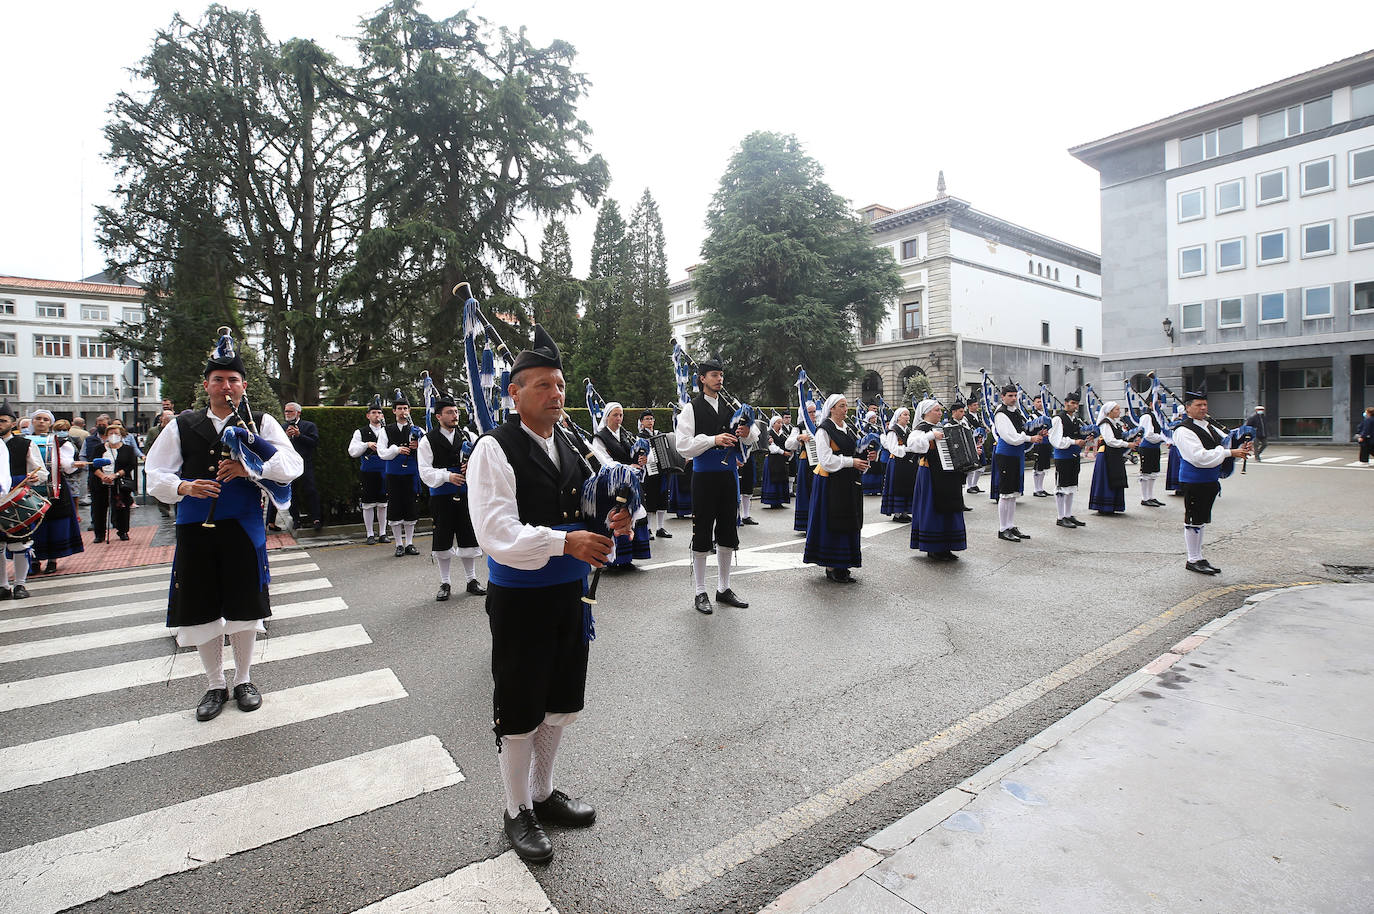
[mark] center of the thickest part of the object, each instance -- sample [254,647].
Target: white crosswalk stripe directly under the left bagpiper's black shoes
[64,757]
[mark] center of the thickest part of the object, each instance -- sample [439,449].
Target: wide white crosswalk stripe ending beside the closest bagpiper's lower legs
[78,868]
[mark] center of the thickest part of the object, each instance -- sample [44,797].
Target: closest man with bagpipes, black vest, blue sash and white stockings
[526,484]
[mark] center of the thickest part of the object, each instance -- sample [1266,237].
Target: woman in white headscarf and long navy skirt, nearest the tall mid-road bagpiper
[836,497]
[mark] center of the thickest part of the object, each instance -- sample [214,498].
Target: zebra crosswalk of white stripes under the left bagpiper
[87,864]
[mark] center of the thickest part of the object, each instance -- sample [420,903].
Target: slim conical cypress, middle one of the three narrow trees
[607,288]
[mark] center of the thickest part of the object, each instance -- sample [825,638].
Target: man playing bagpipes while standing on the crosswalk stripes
[211,464]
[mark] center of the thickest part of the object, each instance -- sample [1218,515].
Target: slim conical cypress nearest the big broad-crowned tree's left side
[641,365]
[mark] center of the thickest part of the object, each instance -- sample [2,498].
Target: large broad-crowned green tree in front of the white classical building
[789,274]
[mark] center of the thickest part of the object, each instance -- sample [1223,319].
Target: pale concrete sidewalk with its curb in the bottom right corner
[1233,774]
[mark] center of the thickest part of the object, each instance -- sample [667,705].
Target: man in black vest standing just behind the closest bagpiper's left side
[442,467]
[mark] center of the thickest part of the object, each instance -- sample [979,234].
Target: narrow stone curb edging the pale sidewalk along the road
[879,847]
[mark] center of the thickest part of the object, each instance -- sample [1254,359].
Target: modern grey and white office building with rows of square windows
[1239,251]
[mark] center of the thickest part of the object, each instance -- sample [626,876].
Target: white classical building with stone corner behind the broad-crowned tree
[978,293]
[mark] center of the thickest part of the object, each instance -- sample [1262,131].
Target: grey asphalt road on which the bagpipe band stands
[715,748]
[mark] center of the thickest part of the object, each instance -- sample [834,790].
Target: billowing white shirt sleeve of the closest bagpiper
[491,498]
